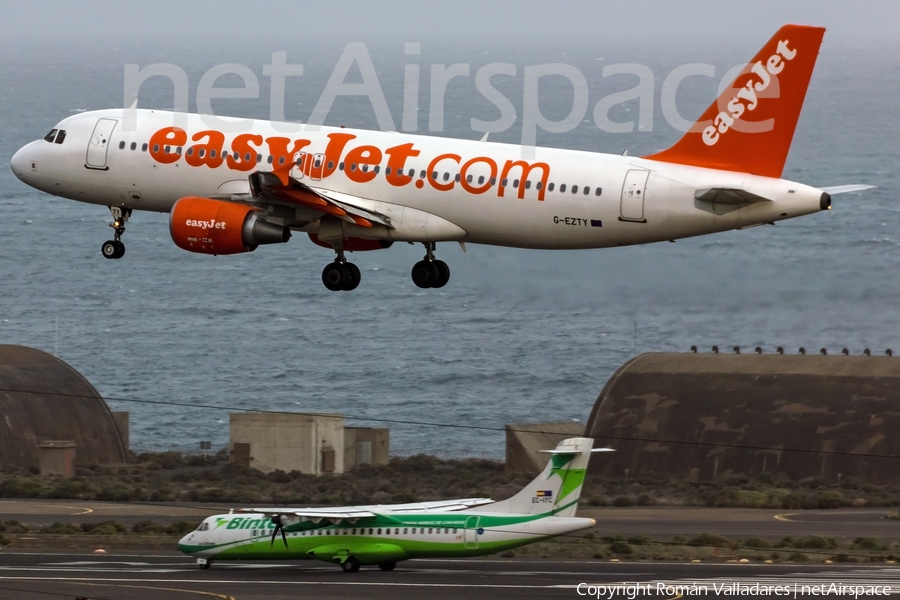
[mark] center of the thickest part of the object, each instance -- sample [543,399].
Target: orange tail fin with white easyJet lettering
[750,126]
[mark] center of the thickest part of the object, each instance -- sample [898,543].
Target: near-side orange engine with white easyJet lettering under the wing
[216,227]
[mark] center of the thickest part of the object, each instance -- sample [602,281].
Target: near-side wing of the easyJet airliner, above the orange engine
[346,207]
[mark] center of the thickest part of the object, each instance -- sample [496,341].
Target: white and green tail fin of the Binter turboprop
[557,489]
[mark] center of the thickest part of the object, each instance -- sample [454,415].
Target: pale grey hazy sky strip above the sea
[463,21]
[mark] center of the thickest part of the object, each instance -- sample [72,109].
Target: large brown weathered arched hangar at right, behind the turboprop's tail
[699,416]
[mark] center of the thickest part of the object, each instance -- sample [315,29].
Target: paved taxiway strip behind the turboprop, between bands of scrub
[658,522]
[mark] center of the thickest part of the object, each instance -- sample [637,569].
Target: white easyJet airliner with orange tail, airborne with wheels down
[353,190]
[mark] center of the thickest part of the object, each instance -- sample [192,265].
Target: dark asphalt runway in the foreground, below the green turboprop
[45,576]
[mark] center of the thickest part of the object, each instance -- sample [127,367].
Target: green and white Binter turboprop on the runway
[383,535]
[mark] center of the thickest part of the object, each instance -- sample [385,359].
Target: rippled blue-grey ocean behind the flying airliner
[517,335]
